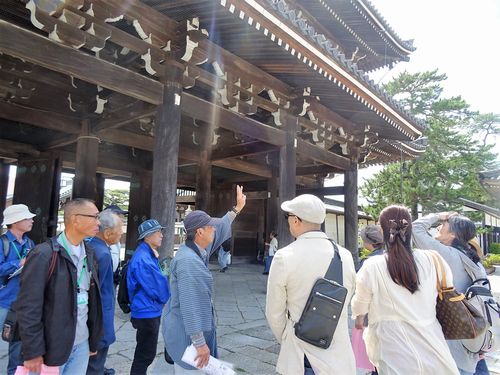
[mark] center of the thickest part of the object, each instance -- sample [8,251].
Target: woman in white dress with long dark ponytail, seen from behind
[398,292]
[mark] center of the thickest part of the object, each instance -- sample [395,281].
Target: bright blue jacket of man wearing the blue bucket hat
[147,286]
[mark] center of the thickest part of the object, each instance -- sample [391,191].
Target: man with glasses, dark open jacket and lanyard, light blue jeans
[59,308]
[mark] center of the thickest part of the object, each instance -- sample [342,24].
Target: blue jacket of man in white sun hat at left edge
[10,289]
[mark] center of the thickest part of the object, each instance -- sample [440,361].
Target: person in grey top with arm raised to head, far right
[452,242]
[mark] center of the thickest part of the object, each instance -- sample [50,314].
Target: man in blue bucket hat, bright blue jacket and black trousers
[148,293]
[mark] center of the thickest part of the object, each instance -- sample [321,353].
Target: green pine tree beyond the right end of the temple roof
[457,150]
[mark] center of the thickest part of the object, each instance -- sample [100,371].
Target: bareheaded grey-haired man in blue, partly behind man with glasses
[110,231]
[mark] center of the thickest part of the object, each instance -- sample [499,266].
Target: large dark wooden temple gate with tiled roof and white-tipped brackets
[203,95]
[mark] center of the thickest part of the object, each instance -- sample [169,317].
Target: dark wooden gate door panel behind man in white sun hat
[37,185]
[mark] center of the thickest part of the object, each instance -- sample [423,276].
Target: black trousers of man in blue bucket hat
[147,340]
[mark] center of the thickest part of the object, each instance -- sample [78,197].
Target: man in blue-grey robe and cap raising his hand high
[189,317]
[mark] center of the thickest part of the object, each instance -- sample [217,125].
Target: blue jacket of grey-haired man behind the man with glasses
[105,266]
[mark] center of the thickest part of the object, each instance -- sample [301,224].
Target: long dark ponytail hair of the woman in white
[396,227]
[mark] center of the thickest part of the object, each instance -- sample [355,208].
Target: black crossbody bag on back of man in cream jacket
[321,314]
